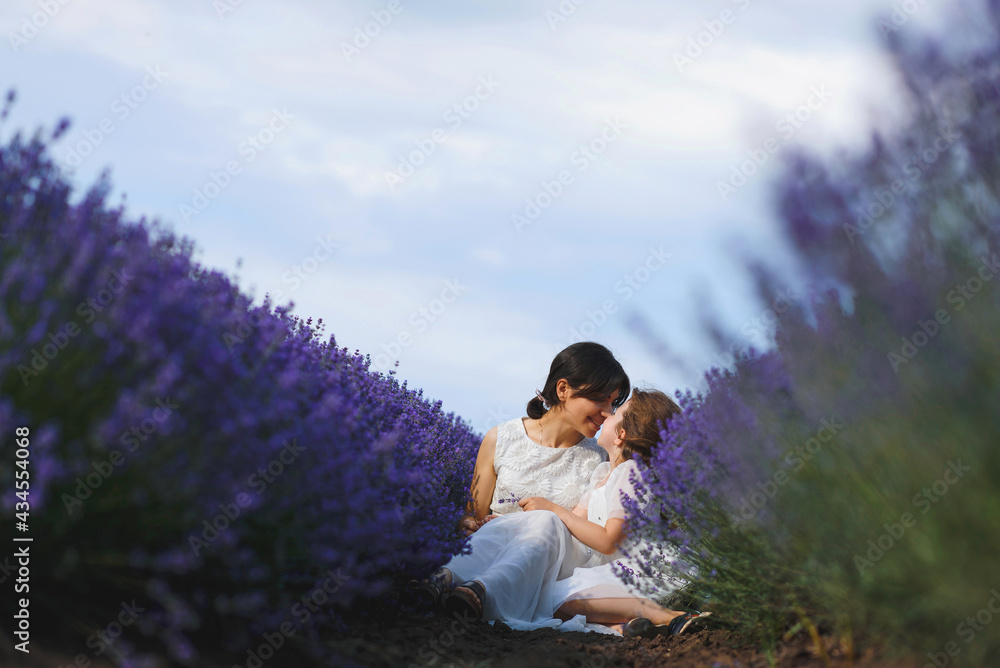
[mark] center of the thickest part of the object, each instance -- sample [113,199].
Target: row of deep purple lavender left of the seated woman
[212,460]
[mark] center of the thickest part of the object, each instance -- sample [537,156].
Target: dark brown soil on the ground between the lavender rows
[417,642]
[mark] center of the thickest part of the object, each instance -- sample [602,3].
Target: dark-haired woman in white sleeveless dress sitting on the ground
[551,454]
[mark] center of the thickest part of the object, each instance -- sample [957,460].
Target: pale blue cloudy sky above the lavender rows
[465,188]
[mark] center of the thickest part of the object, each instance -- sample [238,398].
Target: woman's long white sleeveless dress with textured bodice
[519,556]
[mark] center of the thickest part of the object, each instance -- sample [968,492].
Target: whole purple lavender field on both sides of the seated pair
[208,481]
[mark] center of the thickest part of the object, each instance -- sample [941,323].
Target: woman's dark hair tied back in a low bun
[590,369]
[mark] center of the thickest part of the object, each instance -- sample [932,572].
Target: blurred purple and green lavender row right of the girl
[848,478]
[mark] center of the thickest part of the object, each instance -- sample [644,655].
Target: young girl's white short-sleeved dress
[599,579]
